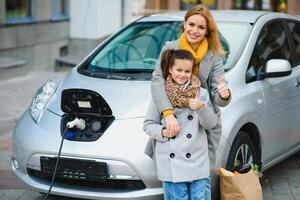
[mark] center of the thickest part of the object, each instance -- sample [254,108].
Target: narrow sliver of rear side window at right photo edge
[295,33]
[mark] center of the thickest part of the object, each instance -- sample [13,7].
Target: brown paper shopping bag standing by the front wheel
[240,187]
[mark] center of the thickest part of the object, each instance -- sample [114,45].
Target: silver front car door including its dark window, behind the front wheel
[278,93]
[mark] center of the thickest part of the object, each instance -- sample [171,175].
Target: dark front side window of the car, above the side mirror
[271,43]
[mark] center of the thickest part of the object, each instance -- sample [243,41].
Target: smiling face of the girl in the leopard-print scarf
[181,71]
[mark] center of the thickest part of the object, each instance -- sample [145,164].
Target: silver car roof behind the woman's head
[219,15]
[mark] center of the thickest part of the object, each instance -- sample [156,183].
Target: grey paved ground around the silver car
[281,182]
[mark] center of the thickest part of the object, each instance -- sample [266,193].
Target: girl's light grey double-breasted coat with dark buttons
[184,158]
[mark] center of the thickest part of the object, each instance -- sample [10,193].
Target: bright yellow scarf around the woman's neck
[198,55]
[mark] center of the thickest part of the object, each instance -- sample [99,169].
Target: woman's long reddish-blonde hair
[212,36]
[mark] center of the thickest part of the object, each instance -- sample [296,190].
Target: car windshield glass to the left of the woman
[134,50]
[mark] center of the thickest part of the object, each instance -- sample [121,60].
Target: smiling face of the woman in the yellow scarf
[195,28]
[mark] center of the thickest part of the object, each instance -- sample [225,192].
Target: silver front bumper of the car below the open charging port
[121,150]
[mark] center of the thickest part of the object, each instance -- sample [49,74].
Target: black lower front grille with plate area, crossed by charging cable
[83,173]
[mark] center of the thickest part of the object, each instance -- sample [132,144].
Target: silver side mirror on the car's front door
[275,68]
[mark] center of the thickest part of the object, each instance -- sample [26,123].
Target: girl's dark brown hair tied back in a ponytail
[168,58]
